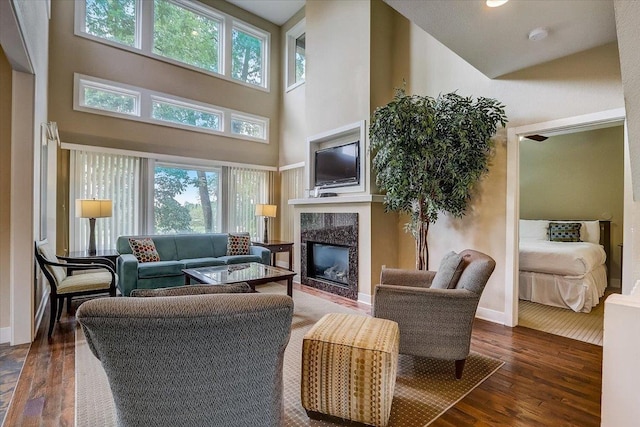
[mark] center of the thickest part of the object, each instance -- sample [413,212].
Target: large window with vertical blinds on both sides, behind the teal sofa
[175,198]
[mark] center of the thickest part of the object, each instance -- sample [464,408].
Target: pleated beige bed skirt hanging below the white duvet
[579,294]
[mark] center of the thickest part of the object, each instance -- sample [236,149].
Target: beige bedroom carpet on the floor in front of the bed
[586,327]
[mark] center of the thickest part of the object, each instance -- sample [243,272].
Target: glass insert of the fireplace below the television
[329,262]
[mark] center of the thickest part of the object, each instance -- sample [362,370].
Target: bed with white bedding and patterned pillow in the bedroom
[563,263]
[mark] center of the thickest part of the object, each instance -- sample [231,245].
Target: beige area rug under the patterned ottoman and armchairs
[424,388]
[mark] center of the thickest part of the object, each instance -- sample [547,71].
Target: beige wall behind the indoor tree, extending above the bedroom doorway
[582,83]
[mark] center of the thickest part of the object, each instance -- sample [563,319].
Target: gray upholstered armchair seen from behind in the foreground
[196,360]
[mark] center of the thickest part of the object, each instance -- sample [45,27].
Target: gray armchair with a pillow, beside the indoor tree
[435,323]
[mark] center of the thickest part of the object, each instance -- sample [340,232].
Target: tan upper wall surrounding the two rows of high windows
[73,54]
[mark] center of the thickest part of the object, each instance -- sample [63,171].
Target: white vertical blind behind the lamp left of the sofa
[104,176]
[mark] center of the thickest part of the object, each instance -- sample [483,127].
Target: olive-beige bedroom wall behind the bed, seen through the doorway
[576,176]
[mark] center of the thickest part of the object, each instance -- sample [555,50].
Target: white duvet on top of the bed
[564,258]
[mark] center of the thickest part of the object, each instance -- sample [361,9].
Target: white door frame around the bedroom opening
[584,122]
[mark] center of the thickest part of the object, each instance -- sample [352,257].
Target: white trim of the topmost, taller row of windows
[144,38]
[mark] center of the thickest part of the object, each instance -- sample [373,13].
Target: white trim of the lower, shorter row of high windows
[145,108]
